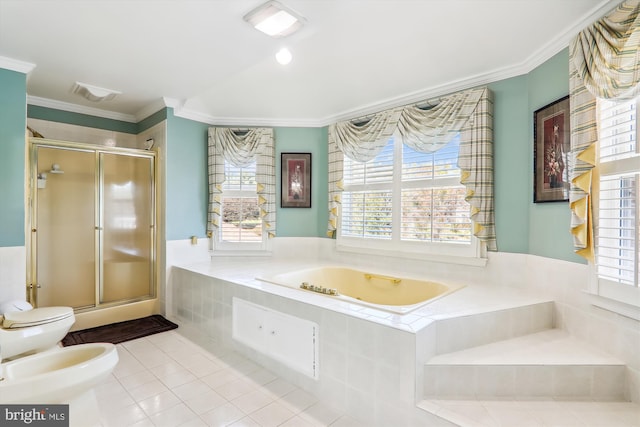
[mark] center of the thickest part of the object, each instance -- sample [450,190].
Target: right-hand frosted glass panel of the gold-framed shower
[127,227]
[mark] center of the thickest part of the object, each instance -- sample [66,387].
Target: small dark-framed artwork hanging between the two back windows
[295,187]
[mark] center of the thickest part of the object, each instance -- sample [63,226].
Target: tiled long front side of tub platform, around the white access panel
[356,356]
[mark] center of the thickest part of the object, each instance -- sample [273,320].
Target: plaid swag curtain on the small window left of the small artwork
[241,147]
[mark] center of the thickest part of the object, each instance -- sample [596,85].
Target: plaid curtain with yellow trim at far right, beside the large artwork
[604,62]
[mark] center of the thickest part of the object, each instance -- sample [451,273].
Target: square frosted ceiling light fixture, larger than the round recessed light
[274,19]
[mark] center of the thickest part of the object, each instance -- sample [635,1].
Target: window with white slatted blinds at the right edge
[618,229]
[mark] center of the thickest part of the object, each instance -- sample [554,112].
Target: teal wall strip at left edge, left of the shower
[13,107]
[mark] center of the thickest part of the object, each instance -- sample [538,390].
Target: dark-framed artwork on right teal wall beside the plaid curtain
[551,145]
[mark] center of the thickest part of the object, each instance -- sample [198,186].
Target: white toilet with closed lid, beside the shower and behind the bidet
[27,330]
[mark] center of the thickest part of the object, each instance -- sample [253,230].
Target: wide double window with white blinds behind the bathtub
[407,201]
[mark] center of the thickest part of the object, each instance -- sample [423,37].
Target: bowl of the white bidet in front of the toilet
[58,375]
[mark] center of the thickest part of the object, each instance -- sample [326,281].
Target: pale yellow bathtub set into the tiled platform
[384,292]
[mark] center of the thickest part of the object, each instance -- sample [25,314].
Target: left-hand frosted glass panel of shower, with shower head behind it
[64,229]
